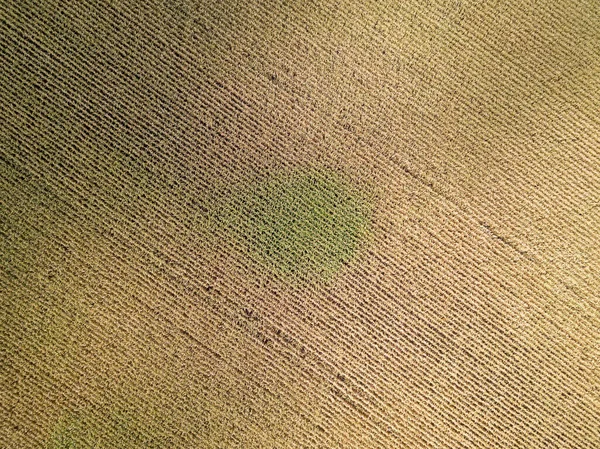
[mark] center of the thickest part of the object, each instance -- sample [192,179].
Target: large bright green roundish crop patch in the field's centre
[304,224]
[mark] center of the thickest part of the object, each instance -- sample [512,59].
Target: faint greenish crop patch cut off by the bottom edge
[104,430]
